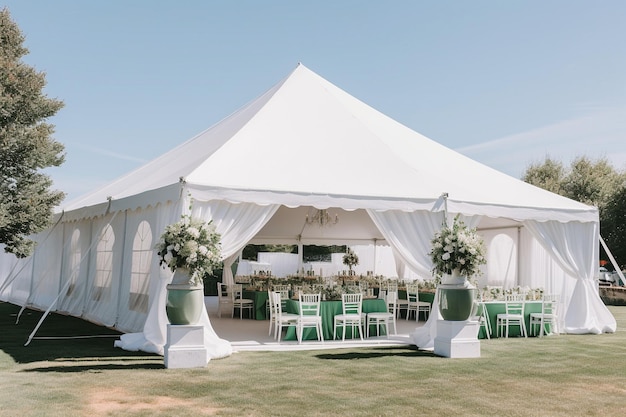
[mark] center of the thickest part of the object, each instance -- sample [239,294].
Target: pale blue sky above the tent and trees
[504,82]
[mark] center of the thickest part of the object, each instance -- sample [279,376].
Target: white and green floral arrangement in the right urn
[457,248]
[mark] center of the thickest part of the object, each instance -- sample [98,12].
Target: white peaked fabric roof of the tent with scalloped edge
[307,142]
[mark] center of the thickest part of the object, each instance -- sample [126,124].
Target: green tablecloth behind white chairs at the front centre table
[328,310]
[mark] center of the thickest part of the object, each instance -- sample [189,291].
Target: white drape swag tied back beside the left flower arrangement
[237,223]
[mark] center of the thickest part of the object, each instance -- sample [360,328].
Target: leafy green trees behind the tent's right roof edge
[596,183]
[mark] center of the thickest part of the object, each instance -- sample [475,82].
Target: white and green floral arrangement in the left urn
[191,244]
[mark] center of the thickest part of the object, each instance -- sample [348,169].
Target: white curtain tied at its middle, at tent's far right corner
[574,246]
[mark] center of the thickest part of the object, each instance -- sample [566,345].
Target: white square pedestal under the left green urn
[185,347]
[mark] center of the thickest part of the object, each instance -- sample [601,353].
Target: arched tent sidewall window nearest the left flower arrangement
[140,268]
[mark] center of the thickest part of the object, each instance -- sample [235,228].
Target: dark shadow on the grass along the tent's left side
[57,339]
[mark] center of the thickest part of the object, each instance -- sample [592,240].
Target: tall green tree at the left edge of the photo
[26,145]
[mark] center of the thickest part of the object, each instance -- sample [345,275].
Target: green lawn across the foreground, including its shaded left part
[568,375]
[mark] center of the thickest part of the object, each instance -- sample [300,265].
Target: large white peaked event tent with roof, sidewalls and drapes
[302,146]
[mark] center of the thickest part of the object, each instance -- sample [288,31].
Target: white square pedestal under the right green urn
[457,339]
